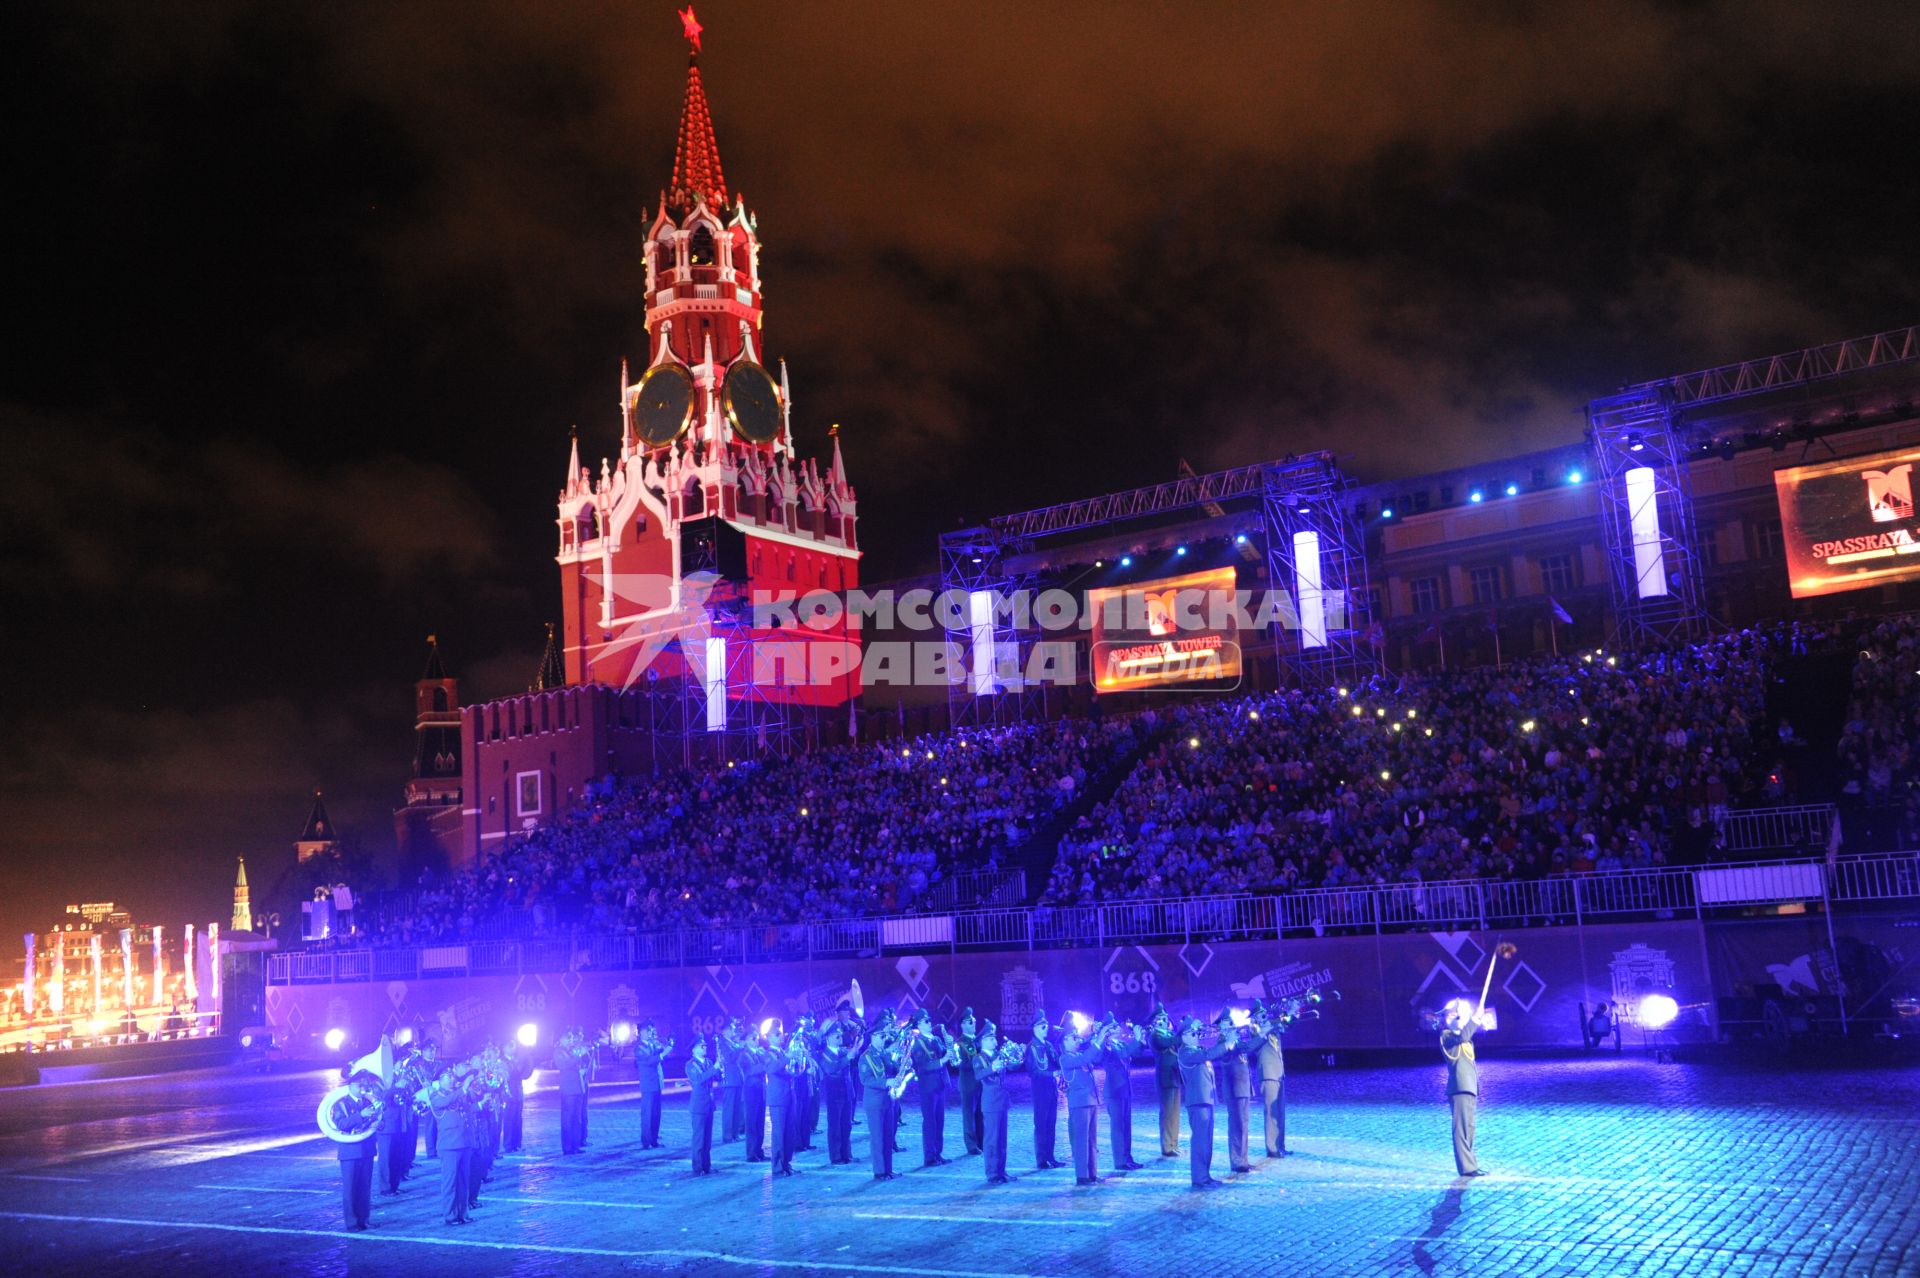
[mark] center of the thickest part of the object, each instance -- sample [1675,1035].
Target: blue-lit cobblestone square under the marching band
[1598,1168]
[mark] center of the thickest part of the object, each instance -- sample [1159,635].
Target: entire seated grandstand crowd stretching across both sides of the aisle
[1587,763]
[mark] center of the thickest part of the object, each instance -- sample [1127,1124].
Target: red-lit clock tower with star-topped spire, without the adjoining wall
[706,496]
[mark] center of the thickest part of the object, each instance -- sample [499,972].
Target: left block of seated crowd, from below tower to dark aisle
[832,834]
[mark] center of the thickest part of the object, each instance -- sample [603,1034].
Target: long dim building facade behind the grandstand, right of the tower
[1502,559]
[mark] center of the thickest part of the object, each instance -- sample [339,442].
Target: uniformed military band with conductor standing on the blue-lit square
[773,1091]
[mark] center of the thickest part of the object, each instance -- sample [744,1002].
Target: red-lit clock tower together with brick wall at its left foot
[700,509]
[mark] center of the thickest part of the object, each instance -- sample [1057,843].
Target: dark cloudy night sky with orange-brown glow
[306,296]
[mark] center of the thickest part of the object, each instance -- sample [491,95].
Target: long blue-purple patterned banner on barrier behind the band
[1385,985]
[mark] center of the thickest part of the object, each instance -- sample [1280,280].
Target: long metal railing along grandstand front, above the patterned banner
[1391,909]
